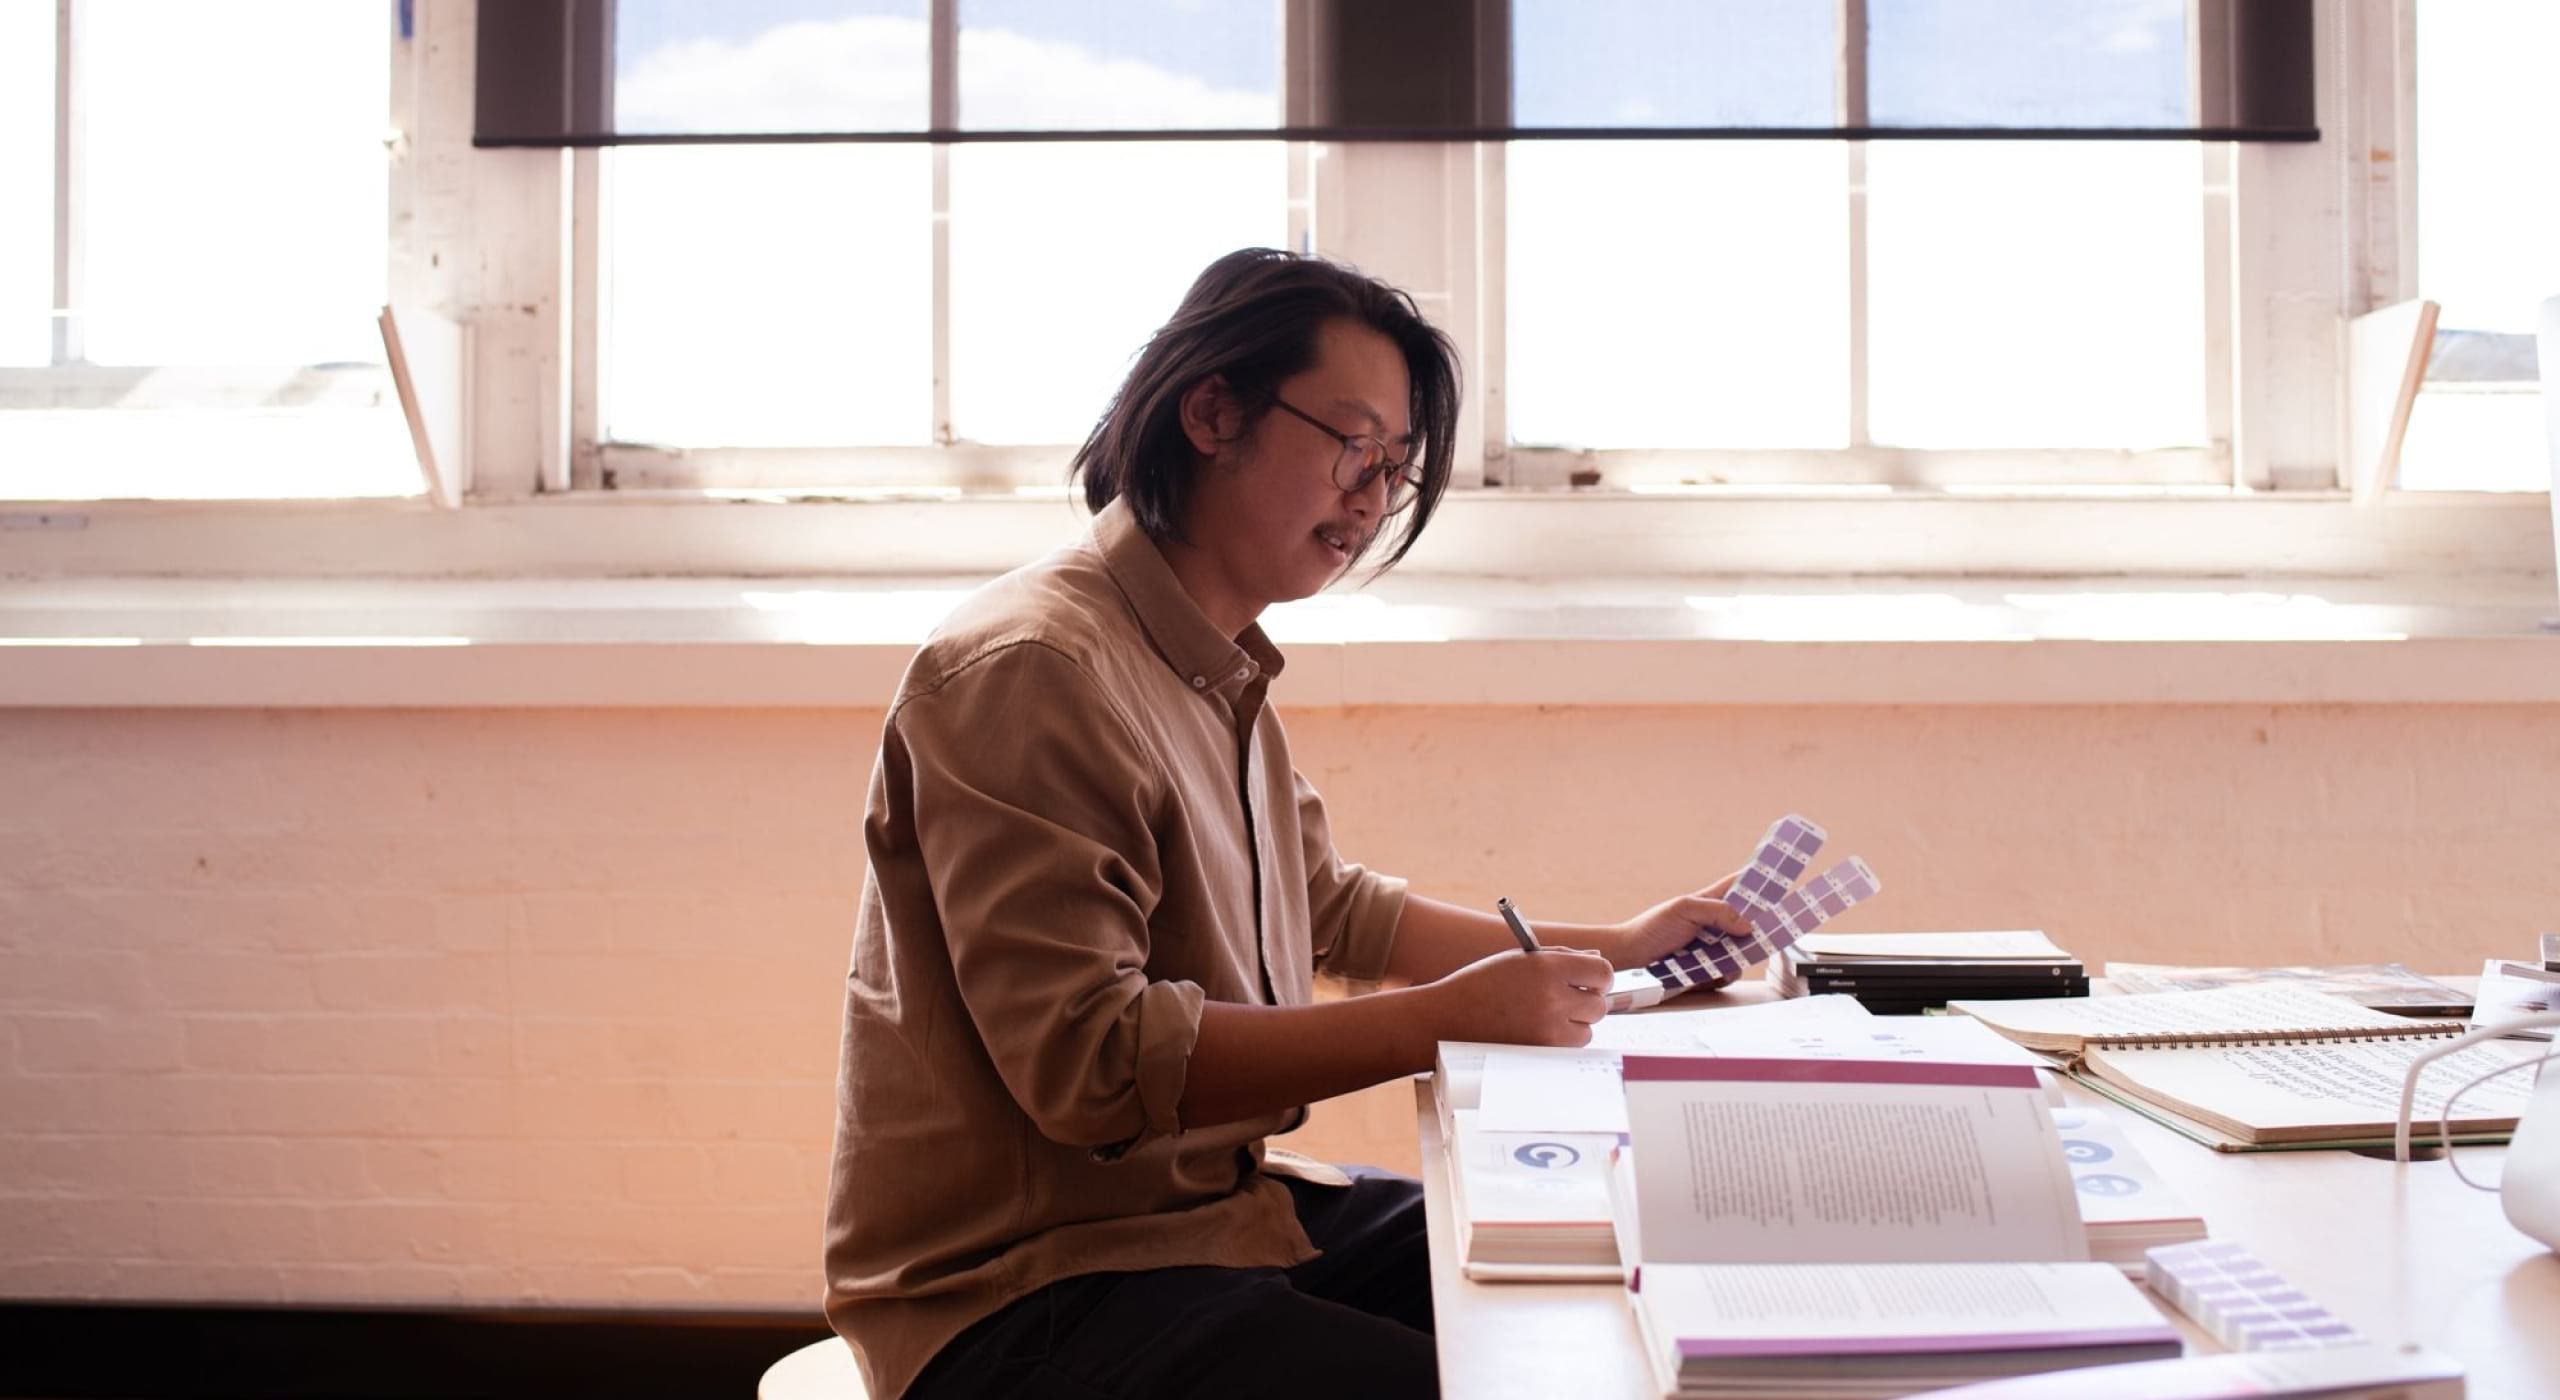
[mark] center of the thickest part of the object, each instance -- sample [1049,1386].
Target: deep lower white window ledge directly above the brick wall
[1432,641]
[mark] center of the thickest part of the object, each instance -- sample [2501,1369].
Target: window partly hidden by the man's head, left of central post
[803,298]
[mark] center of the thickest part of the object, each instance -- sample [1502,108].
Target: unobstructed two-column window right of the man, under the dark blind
[1883,311]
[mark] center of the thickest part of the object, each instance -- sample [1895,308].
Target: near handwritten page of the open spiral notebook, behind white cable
[2351,1086]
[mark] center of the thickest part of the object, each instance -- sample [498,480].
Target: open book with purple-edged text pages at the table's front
[1857,1227]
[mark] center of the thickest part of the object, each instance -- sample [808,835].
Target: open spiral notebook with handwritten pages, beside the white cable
[2269,1066]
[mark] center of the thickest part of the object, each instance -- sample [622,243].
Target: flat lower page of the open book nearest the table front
[1760,1309]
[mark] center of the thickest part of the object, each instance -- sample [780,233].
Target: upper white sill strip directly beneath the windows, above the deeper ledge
[1555,536]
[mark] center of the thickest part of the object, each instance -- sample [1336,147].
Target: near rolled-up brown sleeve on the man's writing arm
[1030,805]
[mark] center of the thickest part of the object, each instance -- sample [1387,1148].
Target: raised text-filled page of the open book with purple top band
[1850,1163]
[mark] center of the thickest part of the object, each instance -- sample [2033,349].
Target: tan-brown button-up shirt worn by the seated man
[1084,825]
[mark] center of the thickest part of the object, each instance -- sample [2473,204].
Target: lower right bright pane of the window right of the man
[2036,296]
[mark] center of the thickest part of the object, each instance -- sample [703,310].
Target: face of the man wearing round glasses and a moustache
[1271,518]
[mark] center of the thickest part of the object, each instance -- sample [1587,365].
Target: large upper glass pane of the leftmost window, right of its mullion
[237,183]
